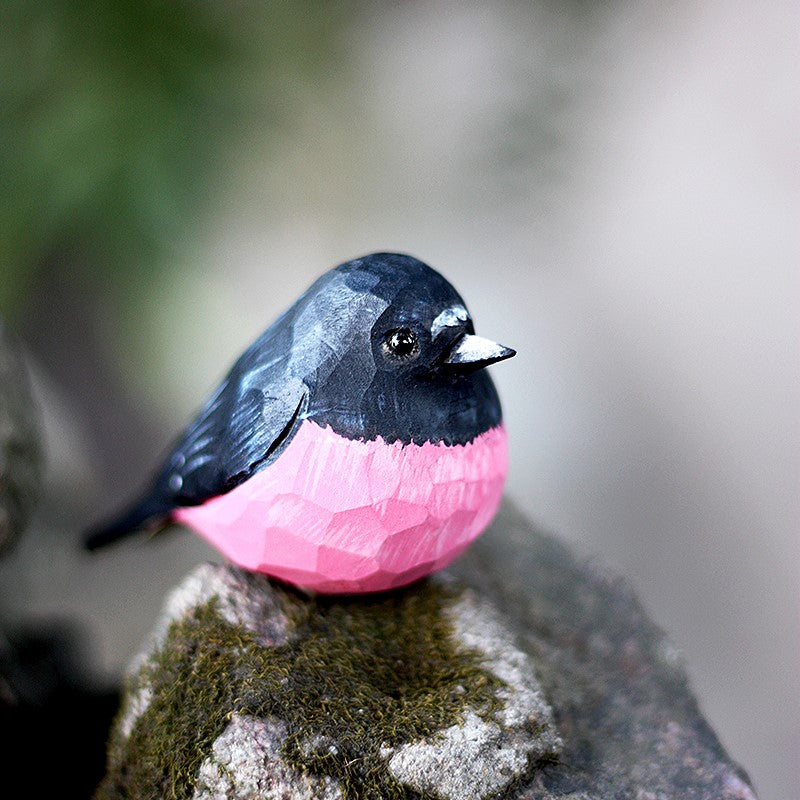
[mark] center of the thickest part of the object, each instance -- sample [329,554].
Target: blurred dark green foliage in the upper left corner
[118,116]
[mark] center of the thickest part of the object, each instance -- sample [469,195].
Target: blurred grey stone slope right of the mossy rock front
[629,722]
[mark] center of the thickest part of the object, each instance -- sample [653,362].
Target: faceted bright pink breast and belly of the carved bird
[337,515]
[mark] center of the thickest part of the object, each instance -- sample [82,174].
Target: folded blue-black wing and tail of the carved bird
[242,427]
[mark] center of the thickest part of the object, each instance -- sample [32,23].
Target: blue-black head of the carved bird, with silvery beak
[387,348]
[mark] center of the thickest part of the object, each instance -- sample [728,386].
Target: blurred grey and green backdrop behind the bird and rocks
[614,188]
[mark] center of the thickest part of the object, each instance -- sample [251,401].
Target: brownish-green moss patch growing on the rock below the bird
[357,674]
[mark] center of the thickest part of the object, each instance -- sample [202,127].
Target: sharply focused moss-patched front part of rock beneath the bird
[249,689]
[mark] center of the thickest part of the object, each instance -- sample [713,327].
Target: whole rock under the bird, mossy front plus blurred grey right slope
[521,674]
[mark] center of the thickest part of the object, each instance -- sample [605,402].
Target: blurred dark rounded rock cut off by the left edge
[20,448]
